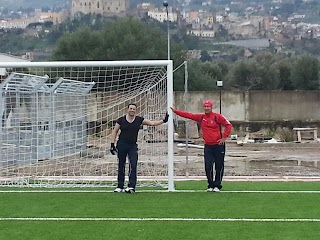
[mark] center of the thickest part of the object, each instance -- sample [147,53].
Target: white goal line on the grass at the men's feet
[156,191]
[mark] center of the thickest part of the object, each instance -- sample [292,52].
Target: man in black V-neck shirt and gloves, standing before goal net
[129,126]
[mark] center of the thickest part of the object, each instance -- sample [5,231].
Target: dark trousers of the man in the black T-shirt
[131,151]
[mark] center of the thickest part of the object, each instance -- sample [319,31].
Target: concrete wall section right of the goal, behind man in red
[257,105]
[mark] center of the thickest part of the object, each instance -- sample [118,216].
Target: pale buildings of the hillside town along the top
[202,23]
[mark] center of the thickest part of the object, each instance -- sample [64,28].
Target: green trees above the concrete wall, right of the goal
[266,71]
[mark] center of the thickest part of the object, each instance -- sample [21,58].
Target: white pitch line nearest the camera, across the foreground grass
[170,219]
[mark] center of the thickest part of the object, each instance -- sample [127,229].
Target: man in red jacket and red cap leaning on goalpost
[214,138]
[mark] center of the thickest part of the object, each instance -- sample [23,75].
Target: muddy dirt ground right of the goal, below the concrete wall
[256,159]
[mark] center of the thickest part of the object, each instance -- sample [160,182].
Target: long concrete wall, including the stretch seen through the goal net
[253,106]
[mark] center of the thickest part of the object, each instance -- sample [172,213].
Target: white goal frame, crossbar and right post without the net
[137,63]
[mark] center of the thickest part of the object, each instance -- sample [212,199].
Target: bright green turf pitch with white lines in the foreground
[243,210]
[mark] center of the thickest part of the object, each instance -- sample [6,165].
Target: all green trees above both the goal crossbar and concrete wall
[133,39]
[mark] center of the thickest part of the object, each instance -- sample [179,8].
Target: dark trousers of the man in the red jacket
[214,155]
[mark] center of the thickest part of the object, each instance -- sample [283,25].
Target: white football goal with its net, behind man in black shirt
[57,119]
